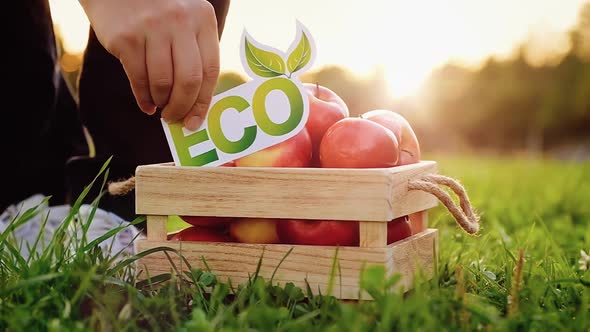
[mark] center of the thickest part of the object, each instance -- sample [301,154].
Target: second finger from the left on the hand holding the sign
[159,66]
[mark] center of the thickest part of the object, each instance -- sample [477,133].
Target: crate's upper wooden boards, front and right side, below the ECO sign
[301,193]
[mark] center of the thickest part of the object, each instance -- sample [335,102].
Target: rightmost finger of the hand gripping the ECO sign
[209,49]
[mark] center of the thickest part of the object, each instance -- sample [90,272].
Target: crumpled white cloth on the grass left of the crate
[102,222]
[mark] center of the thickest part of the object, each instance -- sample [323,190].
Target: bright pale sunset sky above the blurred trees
[407,38]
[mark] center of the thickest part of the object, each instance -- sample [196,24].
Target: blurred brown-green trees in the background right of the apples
[511,105]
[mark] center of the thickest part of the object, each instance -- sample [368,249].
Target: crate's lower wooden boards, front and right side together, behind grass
[236,261]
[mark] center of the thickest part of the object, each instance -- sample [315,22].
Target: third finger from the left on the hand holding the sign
[188,73]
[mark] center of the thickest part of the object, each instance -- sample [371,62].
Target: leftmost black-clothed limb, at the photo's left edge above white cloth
[41,128]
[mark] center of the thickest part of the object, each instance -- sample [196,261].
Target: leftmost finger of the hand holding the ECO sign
[133,61]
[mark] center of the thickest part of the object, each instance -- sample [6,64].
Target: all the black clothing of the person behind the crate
[50,154]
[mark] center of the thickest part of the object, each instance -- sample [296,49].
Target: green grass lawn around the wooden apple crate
[538,208]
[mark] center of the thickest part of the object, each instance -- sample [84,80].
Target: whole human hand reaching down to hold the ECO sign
[169,50]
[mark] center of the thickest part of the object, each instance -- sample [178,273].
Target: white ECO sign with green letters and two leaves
[265,111]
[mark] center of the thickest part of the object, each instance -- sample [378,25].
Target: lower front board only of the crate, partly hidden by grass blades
[236,261]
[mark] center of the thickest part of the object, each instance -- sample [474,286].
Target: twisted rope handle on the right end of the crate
[465,216]
